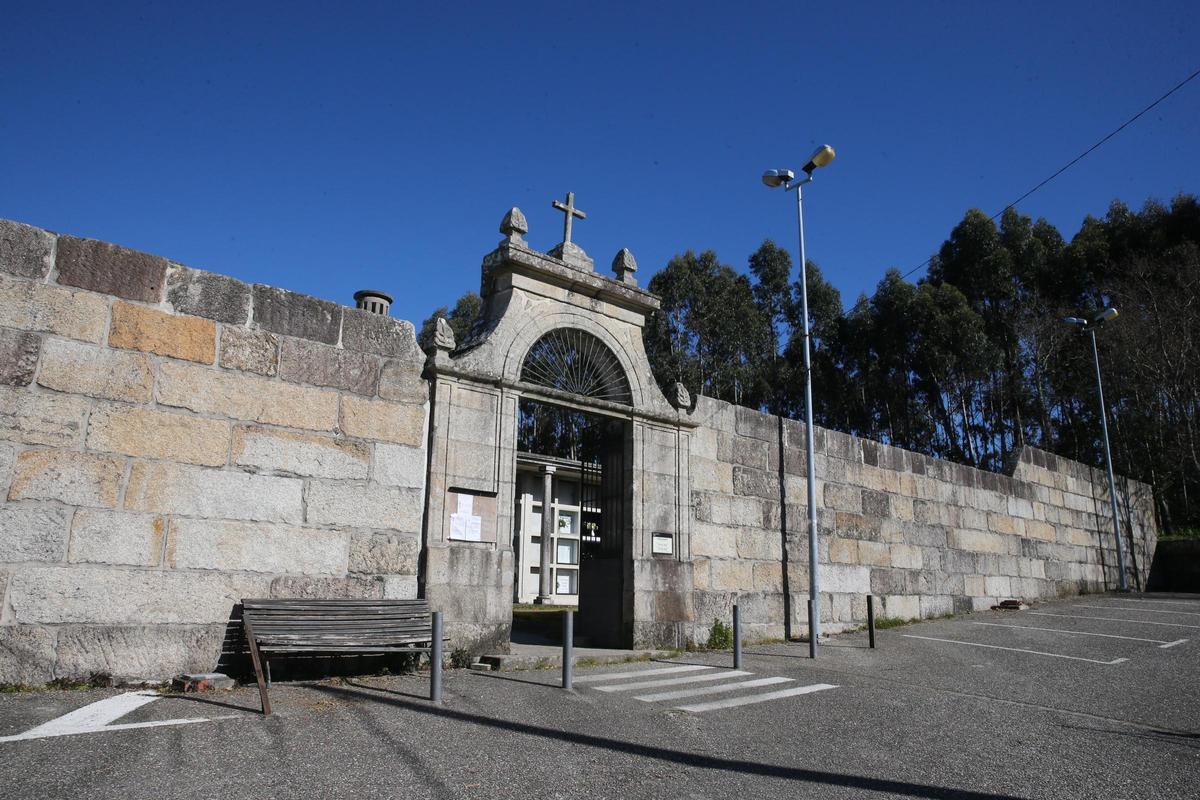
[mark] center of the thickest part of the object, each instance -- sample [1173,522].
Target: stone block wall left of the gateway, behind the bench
[175,441]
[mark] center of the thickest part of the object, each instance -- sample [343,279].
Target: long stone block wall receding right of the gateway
[927,537]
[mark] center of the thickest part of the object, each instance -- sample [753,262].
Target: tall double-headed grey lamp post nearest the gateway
[787,178]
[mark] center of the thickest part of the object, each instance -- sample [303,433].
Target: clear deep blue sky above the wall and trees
[379,146]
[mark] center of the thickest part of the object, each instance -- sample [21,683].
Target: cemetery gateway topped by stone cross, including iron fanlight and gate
[554,332]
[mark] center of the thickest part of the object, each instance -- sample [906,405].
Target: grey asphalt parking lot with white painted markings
[1094,697]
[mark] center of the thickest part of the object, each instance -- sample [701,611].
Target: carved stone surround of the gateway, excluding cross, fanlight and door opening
[476,390]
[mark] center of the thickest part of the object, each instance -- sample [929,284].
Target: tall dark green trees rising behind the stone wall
[971,362]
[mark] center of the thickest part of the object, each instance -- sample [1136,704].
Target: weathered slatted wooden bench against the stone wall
[340,627]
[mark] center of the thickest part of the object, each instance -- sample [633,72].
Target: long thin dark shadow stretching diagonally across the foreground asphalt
[681,757]
